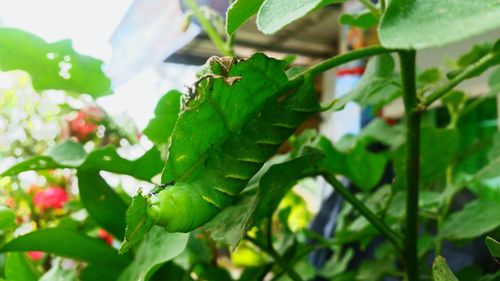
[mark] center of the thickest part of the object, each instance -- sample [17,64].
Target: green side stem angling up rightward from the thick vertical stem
[471,71]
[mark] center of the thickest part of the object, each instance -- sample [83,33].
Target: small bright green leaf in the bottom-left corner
[19,268]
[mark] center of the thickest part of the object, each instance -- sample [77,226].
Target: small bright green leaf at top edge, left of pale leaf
[239,13]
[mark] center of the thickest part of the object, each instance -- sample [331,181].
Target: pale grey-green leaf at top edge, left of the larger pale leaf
[275,14]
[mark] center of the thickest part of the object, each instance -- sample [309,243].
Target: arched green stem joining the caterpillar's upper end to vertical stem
[342,59]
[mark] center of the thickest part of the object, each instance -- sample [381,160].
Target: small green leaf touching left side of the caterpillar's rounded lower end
[138,222]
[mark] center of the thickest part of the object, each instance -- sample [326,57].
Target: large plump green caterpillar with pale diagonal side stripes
[243,124]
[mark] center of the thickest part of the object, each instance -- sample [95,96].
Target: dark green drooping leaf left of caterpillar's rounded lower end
[102,203]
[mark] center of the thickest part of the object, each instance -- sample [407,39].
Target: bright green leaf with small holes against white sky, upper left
[52,66]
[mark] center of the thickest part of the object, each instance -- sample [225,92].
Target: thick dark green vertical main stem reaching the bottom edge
[412,116]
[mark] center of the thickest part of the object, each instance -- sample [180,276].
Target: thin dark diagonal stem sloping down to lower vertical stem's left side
[392,236]
